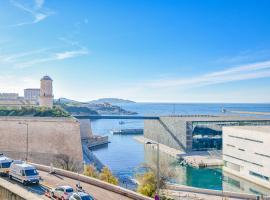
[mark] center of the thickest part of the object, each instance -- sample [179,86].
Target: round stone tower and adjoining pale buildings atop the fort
[32,96]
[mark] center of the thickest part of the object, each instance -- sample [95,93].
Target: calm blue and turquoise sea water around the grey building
[124,155]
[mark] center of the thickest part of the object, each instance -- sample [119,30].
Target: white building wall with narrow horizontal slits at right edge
[246,149]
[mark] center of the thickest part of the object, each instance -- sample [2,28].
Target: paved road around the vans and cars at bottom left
[49,180]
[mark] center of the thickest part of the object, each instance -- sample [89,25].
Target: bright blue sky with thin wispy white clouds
[142,50]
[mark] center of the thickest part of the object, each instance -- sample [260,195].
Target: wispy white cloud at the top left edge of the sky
[36,11]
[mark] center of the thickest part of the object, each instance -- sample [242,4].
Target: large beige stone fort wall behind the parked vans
[48,137]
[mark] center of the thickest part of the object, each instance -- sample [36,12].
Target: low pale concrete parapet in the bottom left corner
[9,191]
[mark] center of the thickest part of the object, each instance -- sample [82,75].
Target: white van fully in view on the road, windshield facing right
[23,172]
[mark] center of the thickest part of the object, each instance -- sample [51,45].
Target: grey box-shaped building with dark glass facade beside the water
[195,132]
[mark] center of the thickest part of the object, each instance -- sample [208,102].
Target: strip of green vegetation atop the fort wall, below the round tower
[34,112]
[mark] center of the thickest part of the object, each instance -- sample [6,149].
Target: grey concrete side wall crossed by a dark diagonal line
[170,131]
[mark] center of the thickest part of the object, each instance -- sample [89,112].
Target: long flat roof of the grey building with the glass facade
[215,118]
